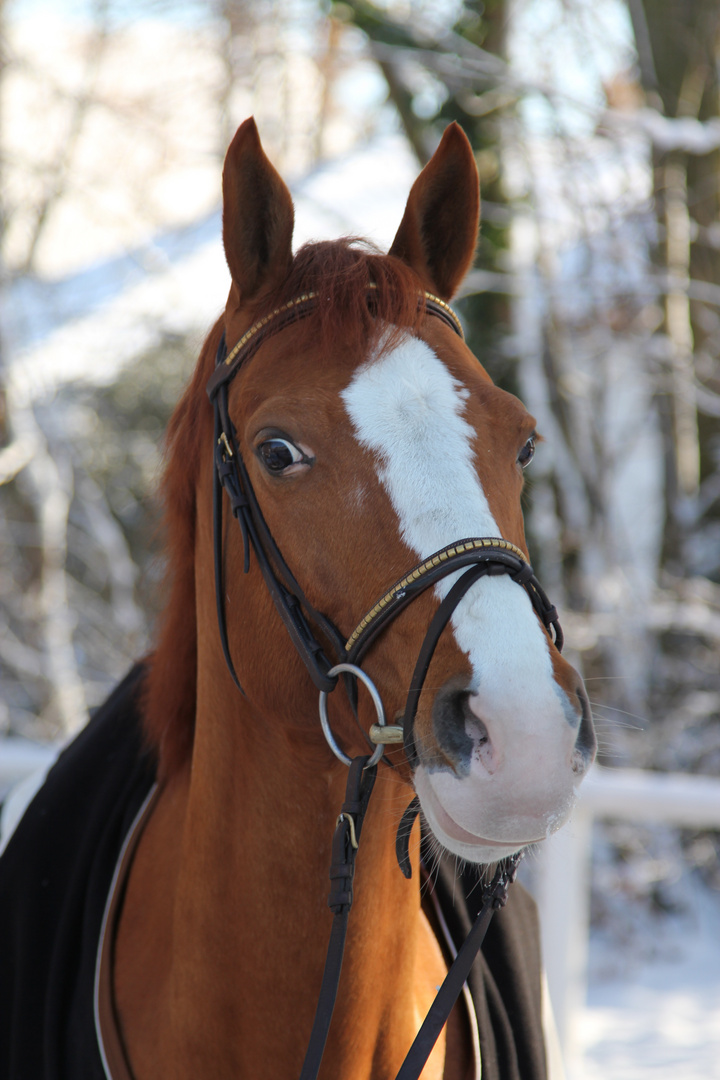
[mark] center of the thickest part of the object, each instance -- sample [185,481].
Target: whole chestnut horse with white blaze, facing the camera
[371,439]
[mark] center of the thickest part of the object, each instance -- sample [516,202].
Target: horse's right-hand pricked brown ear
[439,232]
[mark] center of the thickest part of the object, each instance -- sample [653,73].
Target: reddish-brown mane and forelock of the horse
[362,292]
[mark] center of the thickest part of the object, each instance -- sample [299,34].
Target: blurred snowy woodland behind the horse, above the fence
[595,296]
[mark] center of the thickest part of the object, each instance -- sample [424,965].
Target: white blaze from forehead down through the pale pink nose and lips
[409,410]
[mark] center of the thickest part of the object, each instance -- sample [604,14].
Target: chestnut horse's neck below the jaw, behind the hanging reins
[252,911]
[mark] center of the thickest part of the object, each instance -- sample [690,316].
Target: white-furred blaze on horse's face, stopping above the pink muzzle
[410,411]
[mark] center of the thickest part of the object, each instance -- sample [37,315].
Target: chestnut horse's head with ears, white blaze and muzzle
[372,439]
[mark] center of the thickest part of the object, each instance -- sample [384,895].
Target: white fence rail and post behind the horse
[564,870]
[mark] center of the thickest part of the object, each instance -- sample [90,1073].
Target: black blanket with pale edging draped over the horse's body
[60,869]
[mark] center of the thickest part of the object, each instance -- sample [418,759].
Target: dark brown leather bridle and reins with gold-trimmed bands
[476,557]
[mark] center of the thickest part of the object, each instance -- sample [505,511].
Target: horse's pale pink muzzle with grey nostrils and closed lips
[492,779]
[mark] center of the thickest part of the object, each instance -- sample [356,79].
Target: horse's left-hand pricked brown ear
[257,218]
